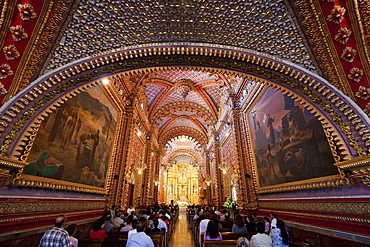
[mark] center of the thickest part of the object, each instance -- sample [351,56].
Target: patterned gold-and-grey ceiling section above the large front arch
[263,26]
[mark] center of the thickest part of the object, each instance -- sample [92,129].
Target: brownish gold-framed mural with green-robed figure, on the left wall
[74,143]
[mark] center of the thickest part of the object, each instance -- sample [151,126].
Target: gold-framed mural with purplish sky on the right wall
[290,143]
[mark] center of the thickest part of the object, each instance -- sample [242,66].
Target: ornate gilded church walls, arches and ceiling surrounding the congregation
[186,102]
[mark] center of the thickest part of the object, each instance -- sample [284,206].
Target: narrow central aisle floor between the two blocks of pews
[182,236]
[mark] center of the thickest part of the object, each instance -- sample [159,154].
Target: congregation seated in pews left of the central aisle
[149,227]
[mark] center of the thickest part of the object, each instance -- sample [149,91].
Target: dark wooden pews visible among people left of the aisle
[160,239]
